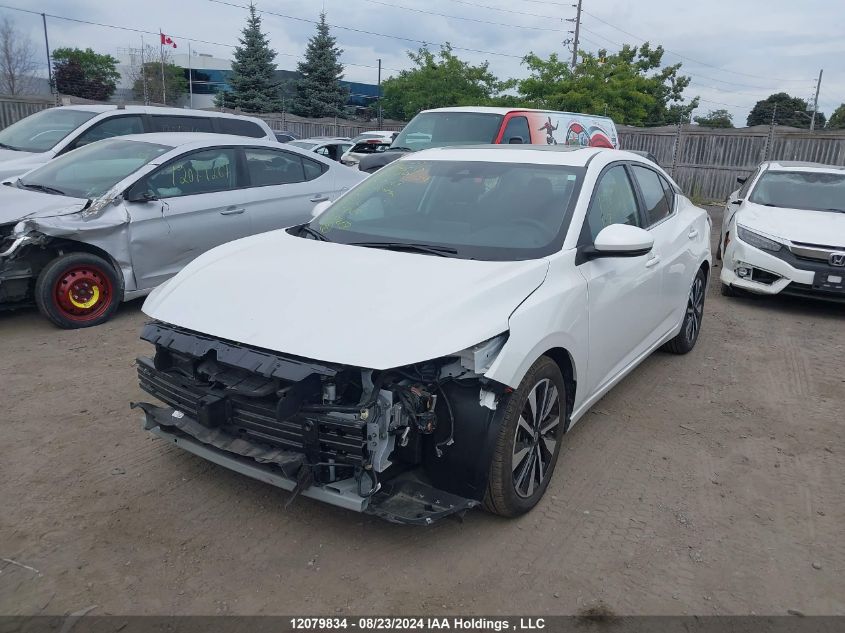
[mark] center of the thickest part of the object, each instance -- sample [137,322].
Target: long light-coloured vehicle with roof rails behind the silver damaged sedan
[44,135]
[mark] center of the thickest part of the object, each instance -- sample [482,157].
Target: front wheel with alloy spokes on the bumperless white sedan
[528,443]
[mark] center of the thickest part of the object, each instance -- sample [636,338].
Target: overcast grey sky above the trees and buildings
[743,50]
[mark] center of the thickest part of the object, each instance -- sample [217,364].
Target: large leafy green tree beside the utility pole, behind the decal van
[630,86]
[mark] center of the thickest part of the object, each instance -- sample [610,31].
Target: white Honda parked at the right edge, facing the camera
[783,231]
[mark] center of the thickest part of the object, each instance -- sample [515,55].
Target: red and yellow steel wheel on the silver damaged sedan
[78,290]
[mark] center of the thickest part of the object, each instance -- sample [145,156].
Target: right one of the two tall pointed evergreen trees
[318,92]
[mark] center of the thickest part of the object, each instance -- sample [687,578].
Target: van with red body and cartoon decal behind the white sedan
[470,125]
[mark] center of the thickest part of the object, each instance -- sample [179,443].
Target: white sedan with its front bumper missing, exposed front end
[423,344]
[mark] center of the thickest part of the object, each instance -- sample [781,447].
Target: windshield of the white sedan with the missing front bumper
[475,210]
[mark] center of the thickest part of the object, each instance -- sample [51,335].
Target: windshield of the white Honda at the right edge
[810,190]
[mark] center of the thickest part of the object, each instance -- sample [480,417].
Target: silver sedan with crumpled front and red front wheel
[112,220]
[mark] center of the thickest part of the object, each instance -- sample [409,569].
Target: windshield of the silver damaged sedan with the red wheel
[92,170]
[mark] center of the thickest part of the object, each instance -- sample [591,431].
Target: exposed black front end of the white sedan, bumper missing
[408,444]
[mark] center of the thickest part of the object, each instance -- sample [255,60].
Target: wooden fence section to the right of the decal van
[706,162]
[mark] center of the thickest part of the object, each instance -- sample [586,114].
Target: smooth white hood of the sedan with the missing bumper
[344,304]
